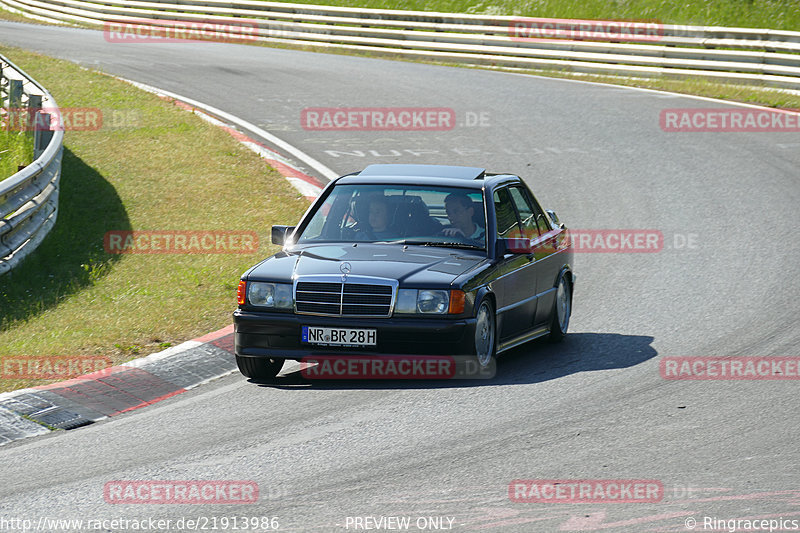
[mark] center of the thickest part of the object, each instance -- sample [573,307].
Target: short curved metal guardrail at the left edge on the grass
[29,198]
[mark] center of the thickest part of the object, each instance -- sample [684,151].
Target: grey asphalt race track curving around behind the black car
[593,408]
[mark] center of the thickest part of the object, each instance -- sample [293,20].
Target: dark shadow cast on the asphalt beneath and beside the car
[534,362]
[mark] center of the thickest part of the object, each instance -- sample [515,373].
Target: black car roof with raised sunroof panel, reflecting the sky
[411,174]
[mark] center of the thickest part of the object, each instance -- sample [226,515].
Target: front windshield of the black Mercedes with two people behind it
[400,214]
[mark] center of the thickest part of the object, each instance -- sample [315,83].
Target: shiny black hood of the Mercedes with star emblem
[412,265]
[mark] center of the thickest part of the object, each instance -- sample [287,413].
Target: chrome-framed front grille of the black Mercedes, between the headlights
[344,299]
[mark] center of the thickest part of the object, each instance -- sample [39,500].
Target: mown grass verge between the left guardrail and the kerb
[152,166]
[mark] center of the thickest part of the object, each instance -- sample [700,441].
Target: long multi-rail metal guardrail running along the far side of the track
[753,56]
